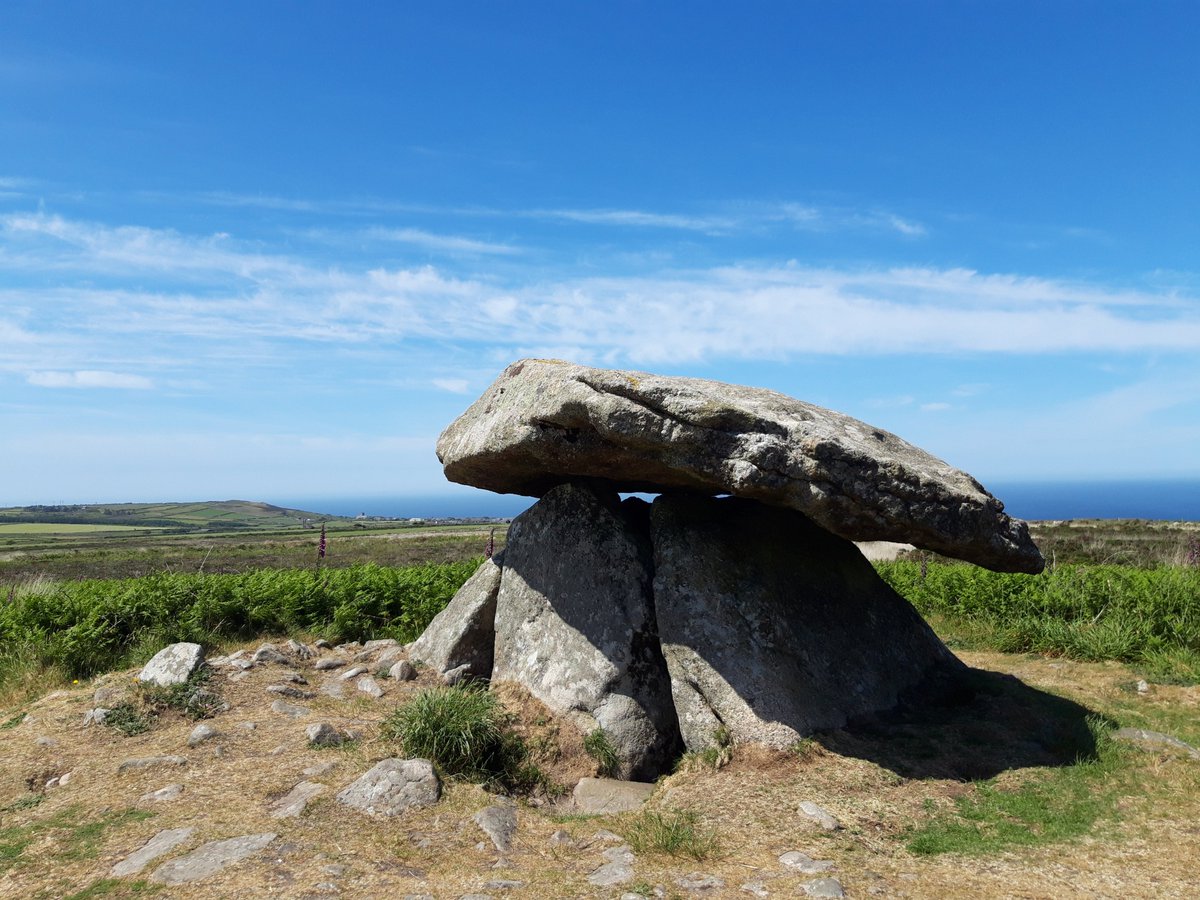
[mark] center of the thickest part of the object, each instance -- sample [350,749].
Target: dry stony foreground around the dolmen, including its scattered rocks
[247,805]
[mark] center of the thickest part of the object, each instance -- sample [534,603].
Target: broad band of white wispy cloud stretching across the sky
[203,295]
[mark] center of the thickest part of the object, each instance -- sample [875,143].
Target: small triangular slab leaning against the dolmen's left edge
[464,633]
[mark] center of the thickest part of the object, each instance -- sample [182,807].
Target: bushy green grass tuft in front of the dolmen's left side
[467,735]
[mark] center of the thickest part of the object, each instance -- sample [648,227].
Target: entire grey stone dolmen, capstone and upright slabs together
[752,615]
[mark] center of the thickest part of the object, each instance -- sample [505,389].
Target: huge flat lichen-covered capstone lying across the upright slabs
[545,422]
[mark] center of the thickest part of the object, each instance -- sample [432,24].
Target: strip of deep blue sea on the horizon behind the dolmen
[1171,500]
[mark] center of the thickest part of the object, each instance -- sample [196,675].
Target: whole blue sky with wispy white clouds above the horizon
[272,250]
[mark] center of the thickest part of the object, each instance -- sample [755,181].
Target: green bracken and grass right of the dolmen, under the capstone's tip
[1148,617]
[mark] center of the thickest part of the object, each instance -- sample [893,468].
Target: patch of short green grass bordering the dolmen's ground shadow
[1053,806]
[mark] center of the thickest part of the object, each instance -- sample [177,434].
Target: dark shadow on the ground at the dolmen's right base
[970,725]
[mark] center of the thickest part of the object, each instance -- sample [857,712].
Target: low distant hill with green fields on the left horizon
[214,515]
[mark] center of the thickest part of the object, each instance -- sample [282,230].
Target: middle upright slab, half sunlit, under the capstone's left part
[575,622]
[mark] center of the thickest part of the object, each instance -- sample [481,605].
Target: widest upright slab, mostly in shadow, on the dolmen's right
[775,628]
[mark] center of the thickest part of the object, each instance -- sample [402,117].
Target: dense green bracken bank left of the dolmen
[91,627]
